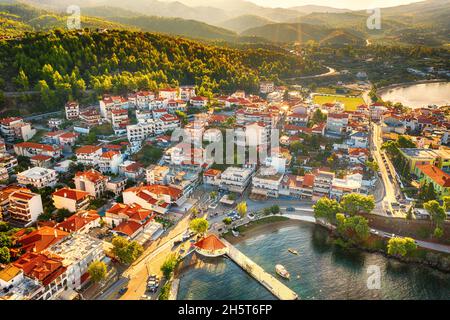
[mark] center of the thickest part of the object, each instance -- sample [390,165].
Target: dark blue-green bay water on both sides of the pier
[326,271]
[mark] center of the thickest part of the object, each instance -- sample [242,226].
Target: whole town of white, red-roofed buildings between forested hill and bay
[107,184]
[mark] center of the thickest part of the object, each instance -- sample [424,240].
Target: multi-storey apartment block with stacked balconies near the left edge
[24,206]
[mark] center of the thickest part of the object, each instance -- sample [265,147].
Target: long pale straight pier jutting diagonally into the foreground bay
[275,286]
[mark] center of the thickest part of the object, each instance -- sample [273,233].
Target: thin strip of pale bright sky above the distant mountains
[349,4]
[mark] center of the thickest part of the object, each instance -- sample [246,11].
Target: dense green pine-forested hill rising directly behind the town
[63,64]
